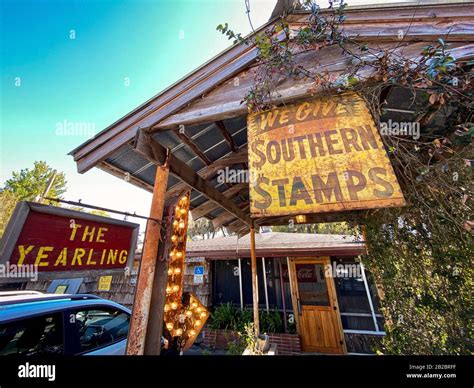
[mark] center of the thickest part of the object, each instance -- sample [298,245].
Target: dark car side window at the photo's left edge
[33,336]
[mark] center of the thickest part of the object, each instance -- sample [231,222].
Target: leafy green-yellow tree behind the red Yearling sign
[26,185]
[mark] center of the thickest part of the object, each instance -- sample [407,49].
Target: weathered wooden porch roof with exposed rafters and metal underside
[208,103]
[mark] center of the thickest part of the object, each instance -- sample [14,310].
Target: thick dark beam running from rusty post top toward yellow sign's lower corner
[156,153]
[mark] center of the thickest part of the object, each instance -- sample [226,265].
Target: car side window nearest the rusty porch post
[99,327]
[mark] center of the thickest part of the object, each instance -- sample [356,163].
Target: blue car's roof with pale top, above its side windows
[27,304]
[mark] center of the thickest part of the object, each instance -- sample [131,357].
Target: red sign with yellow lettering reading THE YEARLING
[66,243]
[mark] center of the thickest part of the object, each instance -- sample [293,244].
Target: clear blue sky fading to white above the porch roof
[90,62]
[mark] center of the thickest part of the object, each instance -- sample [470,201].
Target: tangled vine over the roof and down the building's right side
[421,254]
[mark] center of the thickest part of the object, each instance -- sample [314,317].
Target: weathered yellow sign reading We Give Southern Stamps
[316,156]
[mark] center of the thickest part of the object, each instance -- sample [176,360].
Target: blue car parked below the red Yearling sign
[32,323]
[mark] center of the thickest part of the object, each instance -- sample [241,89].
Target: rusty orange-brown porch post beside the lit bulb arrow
[143,291]
